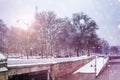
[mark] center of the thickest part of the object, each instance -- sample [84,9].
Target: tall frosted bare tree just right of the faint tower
[47,26]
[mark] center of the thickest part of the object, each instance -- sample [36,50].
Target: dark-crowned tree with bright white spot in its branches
[84,27]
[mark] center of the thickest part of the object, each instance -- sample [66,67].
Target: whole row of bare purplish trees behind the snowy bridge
[50,35]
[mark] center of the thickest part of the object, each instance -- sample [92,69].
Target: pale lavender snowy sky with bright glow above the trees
[106,13]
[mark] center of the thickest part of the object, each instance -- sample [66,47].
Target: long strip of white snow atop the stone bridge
[27,62]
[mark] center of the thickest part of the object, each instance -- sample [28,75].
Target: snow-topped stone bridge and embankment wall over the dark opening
[53,67]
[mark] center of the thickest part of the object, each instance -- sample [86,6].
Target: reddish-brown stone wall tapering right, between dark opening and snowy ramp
[64,68]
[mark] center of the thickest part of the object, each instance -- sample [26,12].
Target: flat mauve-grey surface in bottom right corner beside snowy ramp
[112,72]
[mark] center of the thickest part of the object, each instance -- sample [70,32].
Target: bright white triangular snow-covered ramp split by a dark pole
[90,67]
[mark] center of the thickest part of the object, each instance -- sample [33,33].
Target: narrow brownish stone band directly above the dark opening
[28,69]
